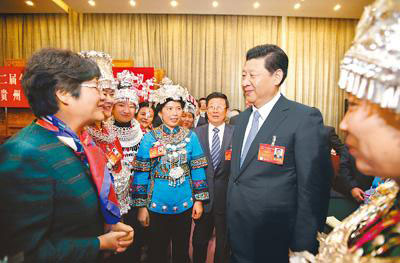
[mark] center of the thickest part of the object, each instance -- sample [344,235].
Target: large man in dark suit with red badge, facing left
[274,202]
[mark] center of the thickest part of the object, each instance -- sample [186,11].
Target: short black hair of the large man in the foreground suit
[275,58]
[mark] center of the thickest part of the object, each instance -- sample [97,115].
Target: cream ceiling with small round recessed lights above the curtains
[309,8]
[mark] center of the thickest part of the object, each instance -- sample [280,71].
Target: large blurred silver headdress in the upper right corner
[371,67]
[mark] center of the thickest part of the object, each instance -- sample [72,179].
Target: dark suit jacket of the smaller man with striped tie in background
[217,178]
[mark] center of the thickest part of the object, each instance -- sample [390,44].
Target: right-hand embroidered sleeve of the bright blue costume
[198,162]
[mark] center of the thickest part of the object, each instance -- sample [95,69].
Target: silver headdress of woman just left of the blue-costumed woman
[127,90]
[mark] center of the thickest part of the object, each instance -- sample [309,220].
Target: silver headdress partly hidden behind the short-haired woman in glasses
[104,61]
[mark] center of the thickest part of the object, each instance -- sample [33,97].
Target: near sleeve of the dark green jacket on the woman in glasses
[27,210]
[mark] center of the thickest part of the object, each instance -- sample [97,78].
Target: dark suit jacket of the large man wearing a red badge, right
[270,204]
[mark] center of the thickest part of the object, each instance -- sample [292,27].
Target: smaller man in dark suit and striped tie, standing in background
[215,138]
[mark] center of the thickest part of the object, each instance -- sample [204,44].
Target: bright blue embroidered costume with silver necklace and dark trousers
[169,178]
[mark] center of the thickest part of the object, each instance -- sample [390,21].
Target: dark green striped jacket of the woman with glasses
[49,205]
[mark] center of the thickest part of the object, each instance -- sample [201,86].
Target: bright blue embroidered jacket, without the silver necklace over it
[152,182]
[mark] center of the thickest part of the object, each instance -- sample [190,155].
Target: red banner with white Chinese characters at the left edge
[11,93]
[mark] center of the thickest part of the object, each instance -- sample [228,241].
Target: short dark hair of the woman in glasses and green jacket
[50,70]
